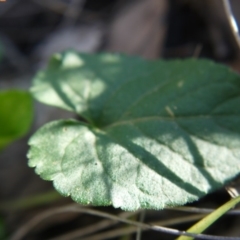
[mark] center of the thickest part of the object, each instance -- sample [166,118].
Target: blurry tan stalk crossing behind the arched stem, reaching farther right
[128,230]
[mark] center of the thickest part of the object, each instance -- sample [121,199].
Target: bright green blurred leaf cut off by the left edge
[16,113]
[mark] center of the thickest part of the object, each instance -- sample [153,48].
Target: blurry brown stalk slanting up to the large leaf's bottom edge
[93,228]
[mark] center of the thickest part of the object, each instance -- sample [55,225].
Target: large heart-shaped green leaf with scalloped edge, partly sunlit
[158,133]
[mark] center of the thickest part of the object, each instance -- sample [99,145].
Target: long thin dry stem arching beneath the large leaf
[75,208]
